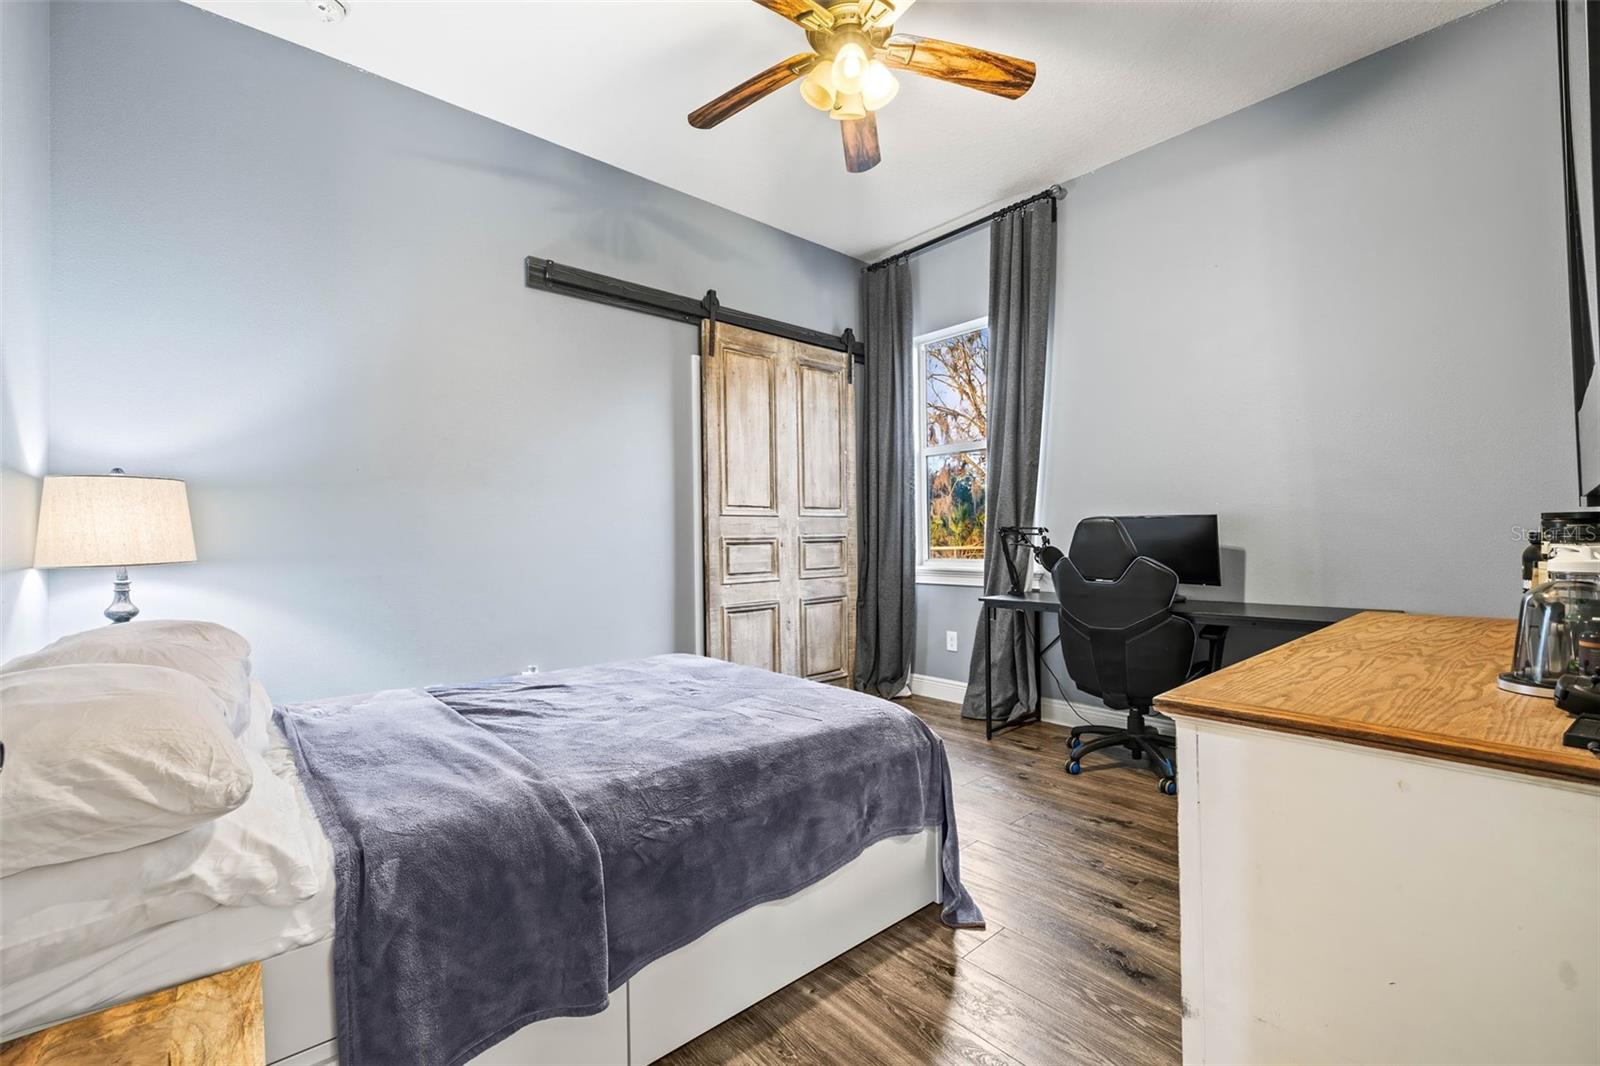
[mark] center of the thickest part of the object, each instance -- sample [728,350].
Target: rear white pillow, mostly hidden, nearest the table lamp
[214,654]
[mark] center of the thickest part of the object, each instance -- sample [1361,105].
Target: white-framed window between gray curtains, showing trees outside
[953,441]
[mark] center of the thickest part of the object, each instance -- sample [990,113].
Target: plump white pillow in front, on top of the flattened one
[110,756]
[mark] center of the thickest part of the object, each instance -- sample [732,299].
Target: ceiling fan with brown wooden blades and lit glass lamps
[847,73]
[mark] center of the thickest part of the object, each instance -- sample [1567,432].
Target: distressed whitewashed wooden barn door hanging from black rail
[780,503]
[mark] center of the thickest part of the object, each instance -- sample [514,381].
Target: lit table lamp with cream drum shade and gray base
[114,521]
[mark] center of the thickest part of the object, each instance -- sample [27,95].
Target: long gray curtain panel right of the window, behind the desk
[1022,284]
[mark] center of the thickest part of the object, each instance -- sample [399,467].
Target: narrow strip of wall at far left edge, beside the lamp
[25,281]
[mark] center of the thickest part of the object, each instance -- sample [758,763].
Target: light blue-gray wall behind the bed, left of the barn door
[300,287]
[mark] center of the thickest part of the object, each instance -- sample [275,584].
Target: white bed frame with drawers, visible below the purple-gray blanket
[673,1000]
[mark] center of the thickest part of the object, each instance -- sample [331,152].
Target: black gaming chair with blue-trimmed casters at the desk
[1122,641]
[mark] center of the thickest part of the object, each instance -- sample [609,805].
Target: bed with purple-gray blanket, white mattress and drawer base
[650,743]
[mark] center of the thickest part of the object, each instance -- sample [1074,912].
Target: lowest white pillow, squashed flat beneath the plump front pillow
[258,854]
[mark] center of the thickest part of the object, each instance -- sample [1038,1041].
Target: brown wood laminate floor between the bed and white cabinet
[1079,964]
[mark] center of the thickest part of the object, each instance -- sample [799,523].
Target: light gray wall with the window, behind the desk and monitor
[1338,319]
